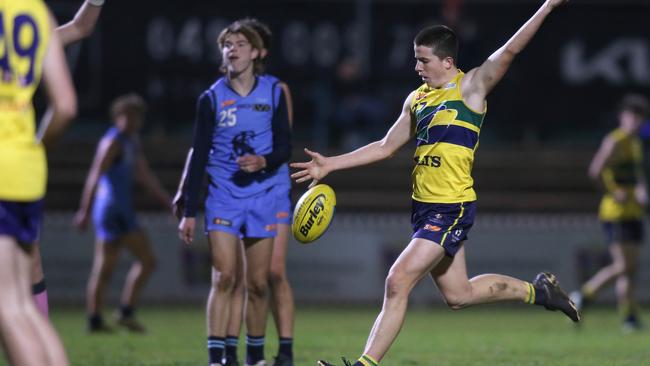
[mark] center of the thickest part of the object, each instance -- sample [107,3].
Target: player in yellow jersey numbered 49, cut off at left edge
[26,336]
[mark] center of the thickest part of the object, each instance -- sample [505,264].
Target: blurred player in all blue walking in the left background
[108,193]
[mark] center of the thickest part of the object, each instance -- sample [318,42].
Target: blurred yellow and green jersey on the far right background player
[623,170]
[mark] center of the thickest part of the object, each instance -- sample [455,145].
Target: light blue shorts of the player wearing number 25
[250,217]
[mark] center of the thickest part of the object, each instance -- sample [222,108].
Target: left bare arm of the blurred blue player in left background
[107,150]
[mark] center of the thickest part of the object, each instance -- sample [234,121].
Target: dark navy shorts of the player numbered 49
[21,220]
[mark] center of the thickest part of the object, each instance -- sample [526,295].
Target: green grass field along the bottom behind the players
[488,335]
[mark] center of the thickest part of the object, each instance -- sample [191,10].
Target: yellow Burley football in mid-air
[313,213]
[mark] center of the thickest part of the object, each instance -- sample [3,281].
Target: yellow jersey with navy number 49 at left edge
[24,38]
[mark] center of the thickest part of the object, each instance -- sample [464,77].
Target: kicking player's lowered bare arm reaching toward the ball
[397,136]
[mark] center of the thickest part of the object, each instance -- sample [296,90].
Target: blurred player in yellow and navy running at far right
[618,168]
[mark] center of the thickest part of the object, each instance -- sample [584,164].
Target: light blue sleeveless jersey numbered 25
[243,126]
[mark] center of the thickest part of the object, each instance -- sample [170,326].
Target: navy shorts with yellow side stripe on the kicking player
[446,224]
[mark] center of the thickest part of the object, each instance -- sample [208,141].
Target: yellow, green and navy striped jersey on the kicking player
[447,134]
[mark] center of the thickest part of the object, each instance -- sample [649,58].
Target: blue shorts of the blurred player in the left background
[113,221]
